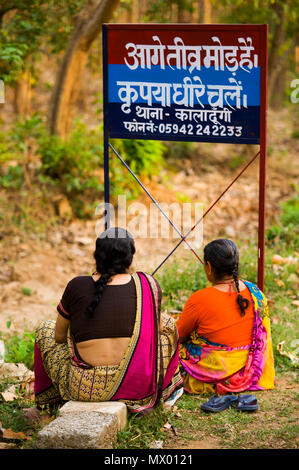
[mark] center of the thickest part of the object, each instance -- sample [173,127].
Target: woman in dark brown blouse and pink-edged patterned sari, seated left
[110,340]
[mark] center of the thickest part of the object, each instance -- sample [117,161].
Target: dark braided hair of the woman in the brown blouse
[113,255]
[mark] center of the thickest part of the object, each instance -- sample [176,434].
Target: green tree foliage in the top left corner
[29,28]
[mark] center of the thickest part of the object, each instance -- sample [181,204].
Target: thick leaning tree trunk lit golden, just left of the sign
[68,80]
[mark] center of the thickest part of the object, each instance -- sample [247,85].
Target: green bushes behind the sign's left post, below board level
[73,166]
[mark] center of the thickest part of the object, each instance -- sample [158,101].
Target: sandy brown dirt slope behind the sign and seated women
[44,266]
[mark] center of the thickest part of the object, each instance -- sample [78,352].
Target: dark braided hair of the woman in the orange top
[224,258]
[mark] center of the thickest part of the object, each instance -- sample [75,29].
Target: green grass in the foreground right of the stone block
[273,426]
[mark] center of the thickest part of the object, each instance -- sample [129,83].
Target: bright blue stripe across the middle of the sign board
[250,81]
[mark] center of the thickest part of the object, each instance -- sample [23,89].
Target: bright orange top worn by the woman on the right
[216,316]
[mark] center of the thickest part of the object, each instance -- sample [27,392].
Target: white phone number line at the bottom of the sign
[185,129]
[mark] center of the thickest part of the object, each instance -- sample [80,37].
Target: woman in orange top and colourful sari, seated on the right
[225,330]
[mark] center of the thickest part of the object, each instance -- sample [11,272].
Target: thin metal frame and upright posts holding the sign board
[262,30]
